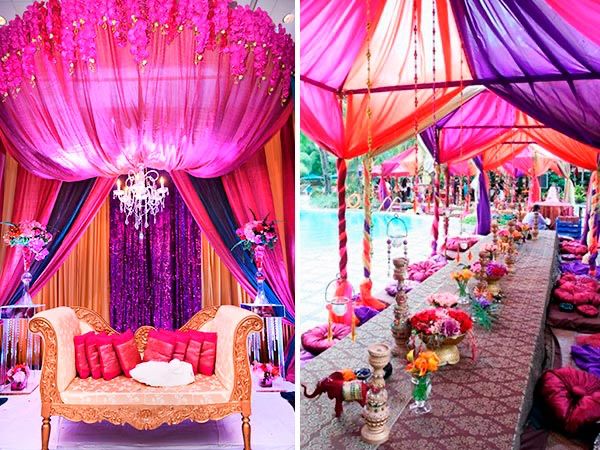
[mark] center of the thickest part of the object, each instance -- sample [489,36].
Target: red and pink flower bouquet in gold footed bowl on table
[441,330]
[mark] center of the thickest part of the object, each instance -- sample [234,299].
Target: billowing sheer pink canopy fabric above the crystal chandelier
[172,114]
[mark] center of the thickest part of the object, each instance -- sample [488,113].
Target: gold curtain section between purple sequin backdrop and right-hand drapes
[219,287]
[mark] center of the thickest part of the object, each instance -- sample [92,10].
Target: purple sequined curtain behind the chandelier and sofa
[155,281]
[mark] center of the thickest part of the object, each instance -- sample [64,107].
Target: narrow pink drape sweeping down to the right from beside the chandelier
[186,189]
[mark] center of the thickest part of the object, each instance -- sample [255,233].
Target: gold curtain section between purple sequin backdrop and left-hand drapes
[84,278]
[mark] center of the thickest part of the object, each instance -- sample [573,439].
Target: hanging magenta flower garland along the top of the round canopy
[67,30]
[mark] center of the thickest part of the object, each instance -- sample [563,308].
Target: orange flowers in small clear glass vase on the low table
[420,368]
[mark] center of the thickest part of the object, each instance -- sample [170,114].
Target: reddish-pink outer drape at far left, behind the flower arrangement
[34,199]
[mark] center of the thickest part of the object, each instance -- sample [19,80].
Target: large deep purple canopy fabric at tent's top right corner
[543,65]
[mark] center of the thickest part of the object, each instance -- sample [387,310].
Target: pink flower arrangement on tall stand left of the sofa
[31,236]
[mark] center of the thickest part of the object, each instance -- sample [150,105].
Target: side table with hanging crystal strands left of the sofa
[19,346]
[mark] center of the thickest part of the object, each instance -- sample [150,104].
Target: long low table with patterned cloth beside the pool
[480,403]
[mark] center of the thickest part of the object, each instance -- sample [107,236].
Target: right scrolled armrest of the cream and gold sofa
[233,325]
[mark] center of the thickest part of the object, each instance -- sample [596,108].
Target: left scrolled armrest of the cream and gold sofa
[58,327]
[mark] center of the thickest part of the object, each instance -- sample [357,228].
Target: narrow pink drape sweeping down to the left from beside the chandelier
[88,211]
